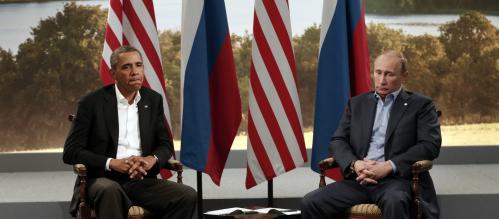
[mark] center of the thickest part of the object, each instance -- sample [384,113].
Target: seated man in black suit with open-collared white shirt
[120,134]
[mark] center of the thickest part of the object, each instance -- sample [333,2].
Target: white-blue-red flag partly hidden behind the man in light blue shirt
[343,71]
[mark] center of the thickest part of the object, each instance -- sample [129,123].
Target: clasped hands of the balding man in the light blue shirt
[370,171]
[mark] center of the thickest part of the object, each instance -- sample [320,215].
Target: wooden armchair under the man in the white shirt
[134,212]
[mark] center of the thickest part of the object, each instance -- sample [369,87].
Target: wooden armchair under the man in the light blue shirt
[371,211]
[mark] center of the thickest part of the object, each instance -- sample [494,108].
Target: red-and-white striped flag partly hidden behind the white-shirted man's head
[133,22]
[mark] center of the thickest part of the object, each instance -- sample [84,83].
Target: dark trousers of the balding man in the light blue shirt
[392,195]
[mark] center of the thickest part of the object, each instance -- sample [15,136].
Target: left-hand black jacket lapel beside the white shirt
[111,114]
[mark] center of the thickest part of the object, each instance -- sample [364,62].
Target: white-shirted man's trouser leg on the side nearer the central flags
[163,198]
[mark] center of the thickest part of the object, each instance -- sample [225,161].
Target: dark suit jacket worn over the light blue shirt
[413,134]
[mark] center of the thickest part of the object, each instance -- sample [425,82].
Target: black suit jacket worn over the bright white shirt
[93,137]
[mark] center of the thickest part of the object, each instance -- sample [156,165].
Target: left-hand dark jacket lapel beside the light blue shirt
[368,114]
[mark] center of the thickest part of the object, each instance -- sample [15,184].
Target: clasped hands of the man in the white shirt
[135,166]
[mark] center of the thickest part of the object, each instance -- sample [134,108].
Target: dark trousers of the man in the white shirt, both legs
[162,198]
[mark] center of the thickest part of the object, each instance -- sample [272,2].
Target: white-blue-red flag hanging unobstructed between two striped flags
[211,105]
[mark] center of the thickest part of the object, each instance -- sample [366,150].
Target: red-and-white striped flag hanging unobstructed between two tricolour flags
[275,136]
